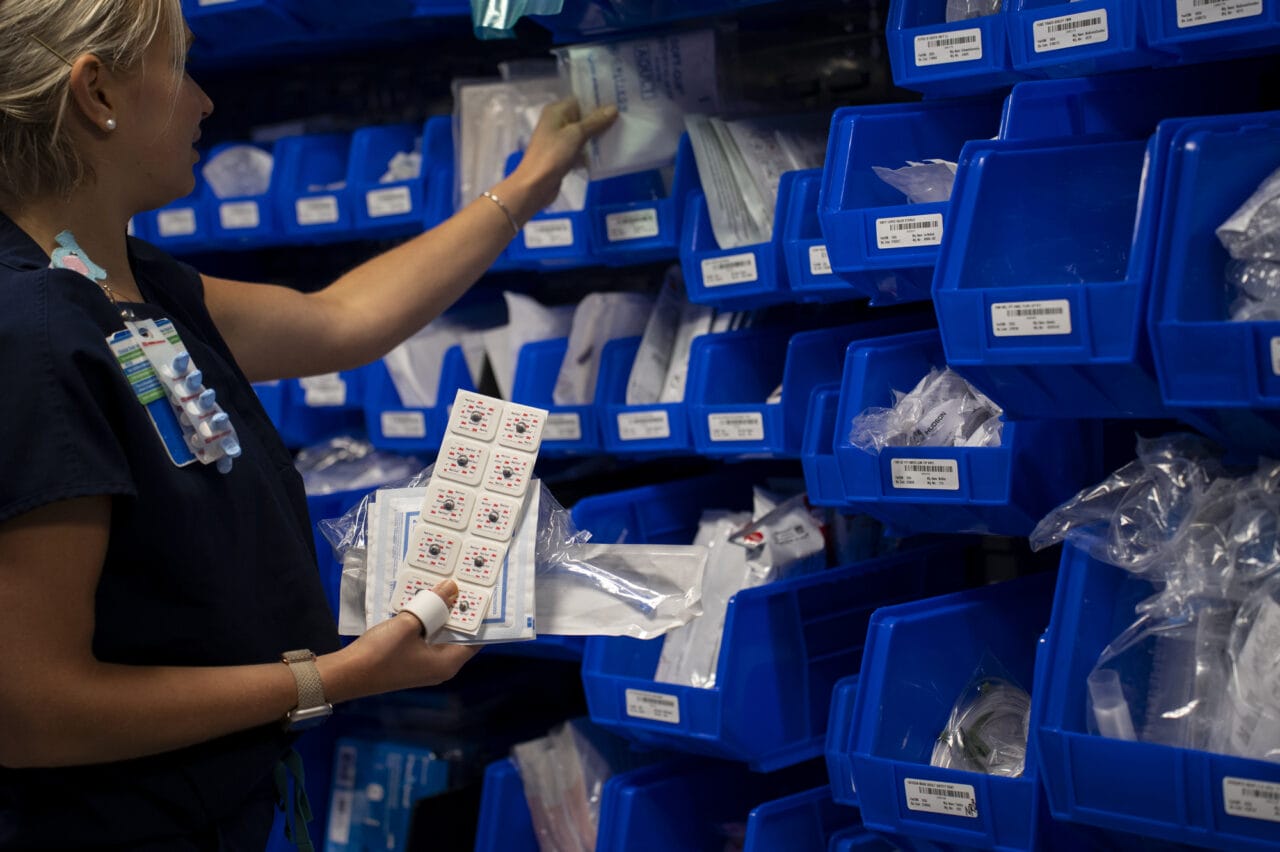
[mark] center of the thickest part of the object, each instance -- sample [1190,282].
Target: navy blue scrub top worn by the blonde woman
[203,569]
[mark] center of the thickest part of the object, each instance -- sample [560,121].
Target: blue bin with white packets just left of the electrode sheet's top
[394,427]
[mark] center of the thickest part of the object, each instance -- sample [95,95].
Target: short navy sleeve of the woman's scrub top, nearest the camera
[66,404]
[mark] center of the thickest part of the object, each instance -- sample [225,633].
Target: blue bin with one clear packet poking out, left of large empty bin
[876,241]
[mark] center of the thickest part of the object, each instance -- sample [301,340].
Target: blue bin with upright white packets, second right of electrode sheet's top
[639,430]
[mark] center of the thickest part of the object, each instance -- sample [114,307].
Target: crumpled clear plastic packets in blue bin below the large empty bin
[943,410]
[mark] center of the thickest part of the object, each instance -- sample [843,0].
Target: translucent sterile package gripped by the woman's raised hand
[653,83]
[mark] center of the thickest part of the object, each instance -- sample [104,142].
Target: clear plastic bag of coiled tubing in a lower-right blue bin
[988,729]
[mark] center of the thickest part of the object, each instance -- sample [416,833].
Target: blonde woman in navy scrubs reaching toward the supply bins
[145,607]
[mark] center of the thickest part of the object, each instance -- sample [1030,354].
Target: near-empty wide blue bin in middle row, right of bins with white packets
[730,418]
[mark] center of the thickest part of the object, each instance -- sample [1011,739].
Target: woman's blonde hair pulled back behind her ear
[42,39]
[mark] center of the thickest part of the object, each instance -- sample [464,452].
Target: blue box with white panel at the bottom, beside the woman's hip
[376,786]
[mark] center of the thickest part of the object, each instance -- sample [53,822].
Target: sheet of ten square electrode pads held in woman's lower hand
[473,505]
